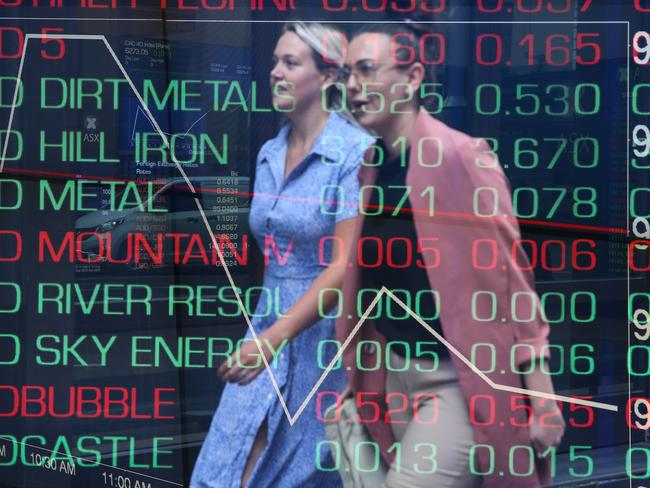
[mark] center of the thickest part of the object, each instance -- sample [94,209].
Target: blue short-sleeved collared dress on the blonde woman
[297,212]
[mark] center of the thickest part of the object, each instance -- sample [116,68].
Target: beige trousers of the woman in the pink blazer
[420,464]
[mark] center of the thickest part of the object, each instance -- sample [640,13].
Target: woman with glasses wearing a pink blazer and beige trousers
[465,227]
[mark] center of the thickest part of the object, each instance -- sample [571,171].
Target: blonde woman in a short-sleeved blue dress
[251,441]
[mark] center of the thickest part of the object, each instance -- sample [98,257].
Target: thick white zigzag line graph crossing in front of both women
[291,418]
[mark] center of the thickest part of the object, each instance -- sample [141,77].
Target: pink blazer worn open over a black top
[453,230]
